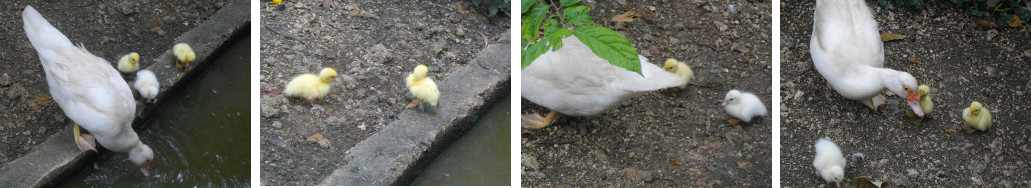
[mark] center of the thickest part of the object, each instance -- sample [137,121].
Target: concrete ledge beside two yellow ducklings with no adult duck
[397,154]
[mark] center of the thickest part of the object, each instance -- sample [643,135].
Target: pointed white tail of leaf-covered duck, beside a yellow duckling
[655,79]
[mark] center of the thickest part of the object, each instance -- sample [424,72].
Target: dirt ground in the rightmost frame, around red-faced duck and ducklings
[960,62]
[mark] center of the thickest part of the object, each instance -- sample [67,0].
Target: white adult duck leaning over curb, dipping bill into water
[89,90]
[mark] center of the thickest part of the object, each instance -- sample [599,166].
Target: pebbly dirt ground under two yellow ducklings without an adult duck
[373,46]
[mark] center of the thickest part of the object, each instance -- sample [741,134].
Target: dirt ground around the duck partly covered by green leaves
[634,145]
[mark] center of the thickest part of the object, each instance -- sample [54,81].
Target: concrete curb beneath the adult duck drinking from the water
[57,158]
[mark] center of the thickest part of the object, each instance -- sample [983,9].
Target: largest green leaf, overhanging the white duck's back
[611,46]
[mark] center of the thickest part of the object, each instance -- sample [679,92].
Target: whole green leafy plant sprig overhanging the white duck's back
[544,30]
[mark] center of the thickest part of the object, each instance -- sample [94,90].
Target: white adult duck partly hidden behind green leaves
[575,81]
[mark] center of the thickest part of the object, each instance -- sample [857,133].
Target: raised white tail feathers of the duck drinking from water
[42,34]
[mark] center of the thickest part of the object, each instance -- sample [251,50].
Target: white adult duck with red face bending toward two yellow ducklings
[848,52]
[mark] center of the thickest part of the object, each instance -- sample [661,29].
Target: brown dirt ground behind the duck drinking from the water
[107,29]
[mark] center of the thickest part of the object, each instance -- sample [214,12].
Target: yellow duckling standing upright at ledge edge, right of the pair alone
[423,88]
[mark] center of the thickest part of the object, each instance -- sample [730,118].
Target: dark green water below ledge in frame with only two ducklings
[480,158]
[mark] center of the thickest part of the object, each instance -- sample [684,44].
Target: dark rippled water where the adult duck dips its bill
[202,137]
